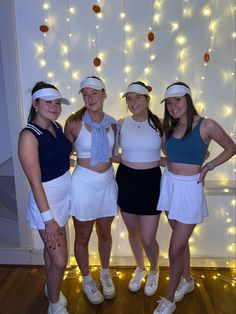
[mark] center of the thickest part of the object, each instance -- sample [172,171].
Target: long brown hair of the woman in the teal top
[169,122]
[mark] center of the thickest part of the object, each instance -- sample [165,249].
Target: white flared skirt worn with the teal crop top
[183,198]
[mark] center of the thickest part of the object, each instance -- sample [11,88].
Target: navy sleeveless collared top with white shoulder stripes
[54,152]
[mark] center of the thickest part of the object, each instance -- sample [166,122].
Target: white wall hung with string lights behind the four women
[216,91]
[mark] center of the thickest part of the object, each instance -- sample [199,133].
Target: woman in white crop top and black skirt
[138,178]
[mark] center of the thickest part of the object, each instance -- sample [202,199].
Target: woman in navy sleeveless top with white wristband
[44,153]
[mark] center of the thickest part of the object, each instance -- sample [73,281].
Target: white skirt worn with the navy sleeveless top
[58,196]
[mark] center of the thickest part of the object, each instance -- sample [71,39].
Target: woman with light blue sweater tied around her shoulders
[93,196]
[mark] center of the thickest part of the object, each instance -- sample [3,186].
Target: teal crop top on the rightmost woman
[190,149]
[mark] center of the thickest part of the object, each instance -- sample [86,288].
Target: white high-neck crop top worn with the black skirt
[139,141]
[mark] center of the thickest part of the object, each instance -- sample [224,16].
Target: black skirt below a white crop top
[138,190]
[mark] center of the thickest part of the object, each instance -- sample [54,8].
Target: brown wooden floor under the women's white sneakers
[21,292]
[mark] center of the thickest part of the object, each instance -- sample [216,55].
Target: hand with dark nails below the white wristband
[52,235]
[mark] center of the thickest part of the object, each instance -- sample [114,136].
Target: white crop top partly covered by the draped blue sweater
[83,142]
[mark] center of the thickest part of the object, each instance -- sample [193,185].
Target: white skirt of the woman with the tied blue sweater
[93,194]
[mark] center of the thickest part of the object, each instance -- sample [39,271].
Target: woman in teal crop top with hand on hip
[186,135]
